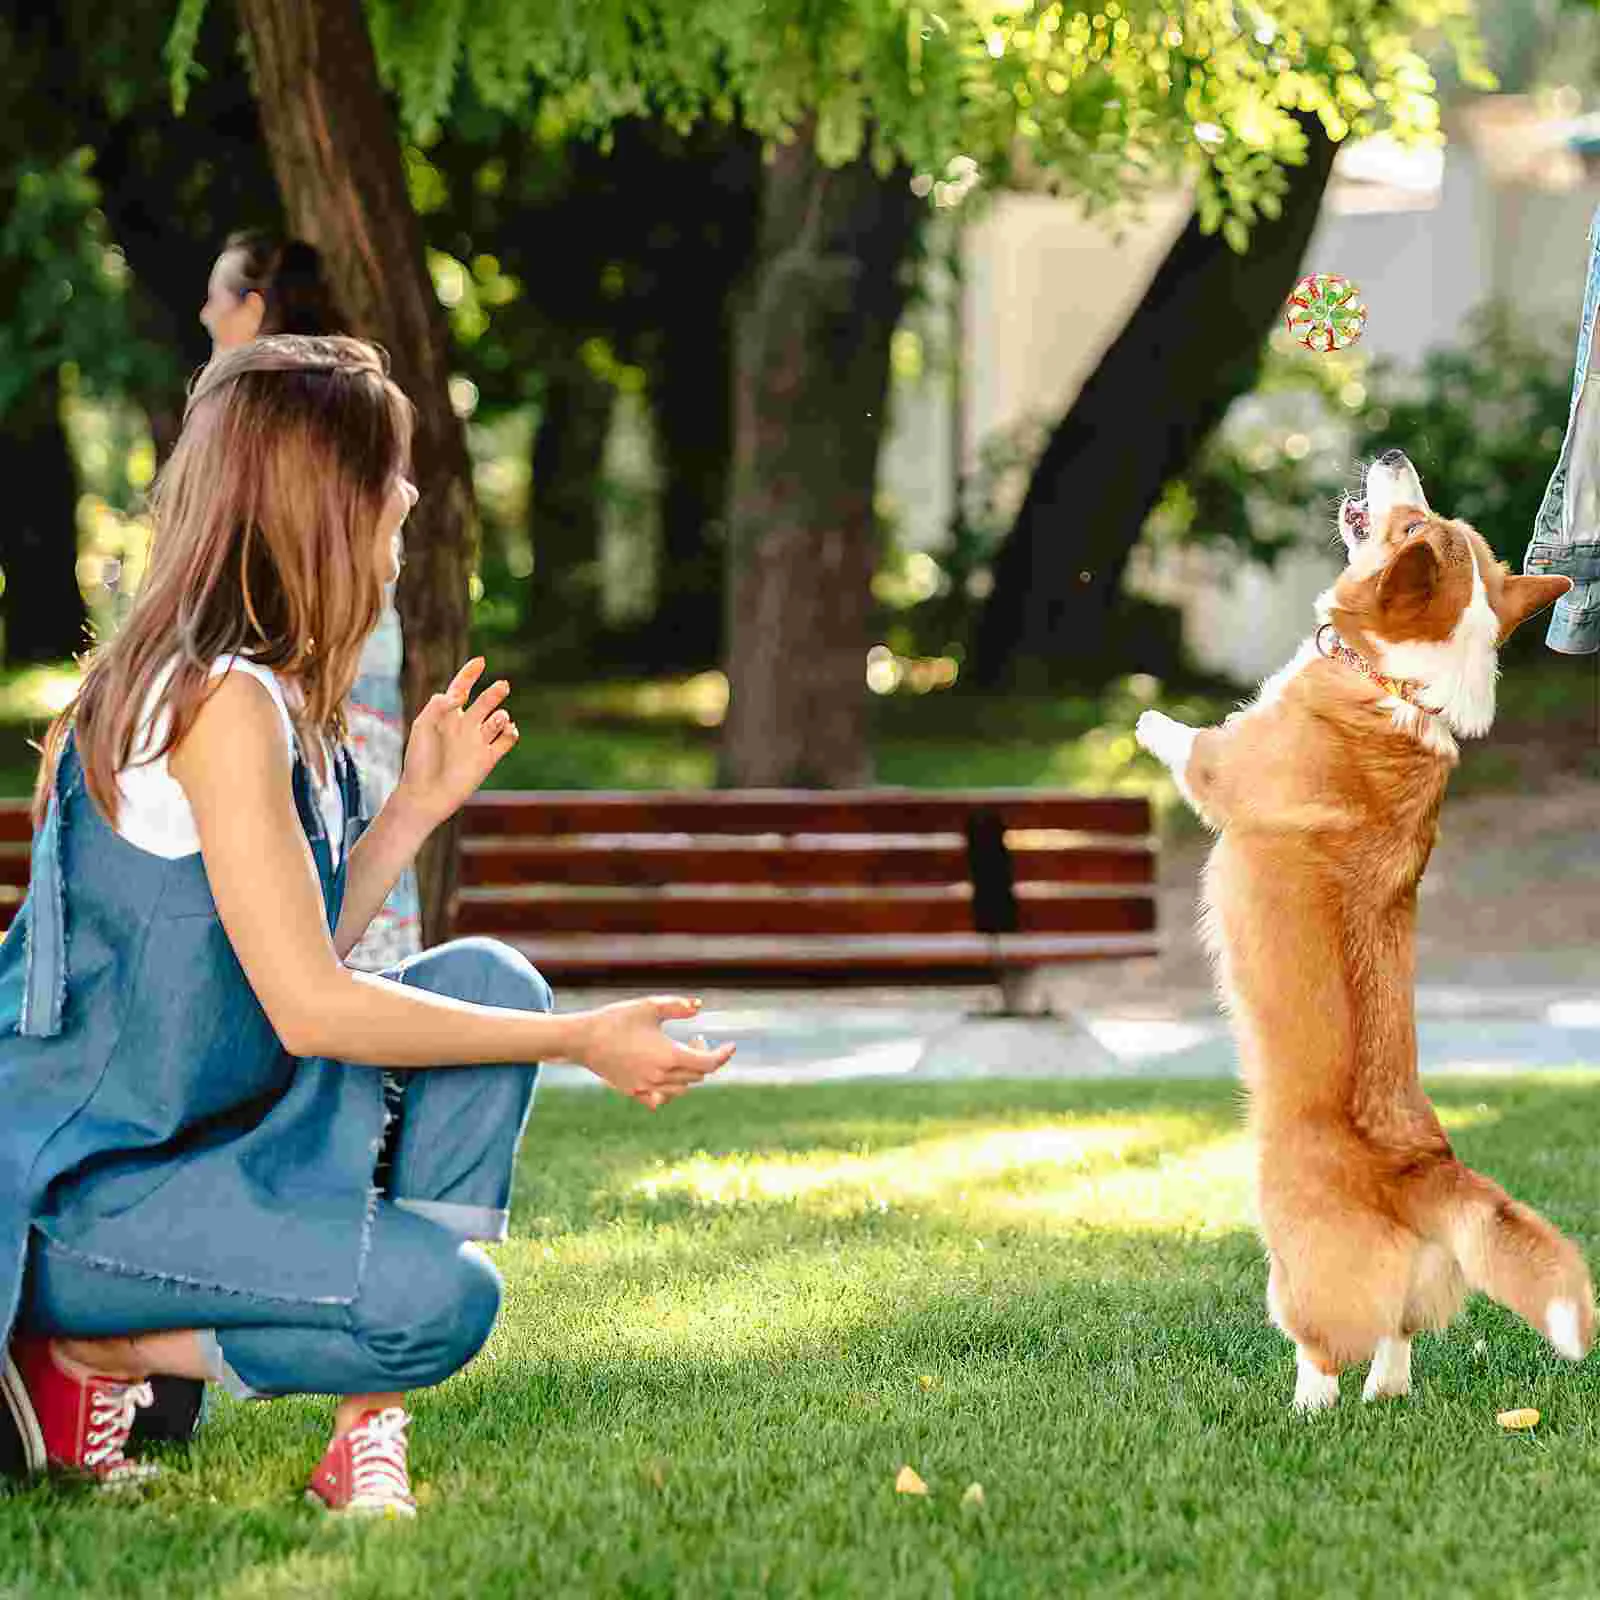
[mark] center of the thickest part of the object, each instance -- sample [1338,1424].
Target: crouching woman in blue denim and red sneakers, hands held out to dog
[193,1081]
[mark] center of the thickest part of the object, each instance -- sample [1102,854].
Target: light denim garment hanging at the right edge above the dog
[1567,532]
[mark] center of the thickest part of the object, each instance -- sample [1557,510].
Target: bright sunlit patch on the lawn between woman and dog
[774,1254]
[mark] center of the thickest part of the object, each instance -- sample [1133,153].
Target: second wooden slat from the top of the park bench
[591,863]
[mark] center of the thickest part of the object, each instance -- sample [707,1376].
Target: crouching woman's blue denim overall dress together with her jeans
[167,1164]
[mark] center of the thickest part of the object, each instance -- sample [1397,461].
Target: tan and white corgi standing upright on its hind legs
[1324,794]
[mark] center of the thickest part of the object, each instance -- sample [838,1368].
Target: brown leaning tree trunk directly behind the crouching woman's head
[334,146]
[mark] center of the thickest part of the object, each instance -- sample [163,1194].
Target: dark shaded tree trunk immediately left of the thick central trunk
[692,398]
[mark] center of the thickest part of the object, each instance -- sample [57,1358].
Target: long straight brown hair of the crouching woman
[265,543]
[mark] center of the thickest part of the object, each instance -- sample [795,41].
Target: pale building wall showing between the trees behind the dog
[1046,290]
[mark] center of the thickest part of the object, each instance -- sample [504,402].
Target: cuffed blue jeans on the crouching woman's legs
[426,1297]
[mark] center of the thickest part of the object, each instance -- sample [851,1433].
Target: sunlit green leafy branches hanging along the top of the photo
[1110,100]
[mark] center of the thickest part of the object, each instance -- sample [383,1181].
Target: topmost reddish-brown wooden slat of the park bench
[553,814]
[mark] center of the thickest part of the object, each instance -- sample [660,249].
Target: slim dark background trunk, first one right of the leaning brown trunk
[564,511]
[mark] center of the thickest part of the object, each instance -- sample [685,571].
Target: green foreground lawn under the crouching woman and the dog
[729,1327]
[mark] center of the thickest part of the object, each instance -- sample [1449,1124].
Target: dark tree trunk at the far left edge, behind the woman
[39,546]
